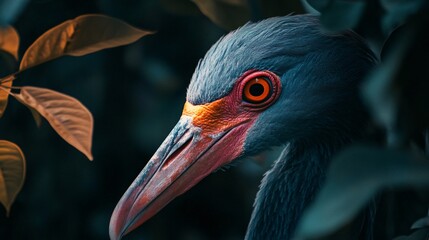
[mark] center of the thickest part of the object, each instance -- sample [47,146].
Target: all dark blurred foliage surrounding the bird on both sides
[137,92]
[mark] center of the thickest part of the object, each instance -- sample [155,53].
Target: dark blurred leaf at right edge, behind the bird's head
[396,91]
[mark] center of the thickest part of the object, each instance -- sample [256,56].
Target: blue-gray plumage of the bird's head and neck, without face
[318,111]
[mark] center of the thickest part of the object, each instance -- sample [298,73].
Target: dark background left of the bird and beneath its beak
[136,94]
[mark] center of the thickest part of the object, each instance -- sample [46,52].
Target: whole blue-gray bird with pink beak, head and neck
[282,81]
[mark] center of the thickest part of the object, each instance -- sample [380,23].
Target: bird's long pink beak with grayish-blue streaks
[188,154]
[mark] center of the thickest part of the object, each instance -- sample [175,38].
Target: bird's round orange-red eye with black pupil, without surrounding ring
[257,90]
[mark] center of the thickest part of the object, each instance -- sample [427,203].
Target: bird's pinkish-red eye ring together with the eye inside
[266,89]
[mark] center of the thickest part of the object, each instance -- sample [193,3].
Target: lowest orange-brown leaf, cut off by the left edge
[12,173]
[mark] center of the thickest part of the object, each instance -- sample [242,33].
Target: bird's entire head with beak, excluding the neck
[260,86]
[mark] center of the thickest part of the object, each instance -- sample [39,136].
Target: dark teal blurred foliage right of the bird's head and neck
[396,94]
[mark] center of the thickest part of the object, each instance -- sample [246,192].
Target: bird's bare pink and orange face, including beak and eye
[206,137]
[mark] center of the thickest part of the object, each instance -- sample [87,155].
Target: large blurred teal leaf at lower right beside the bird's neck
[353,178]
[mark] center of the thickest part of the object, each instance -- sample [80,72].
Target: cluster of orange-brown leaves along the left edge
[67,116]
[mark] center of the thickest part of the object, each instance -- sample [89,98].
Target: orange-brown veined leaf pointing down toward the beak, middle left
[69,118]
